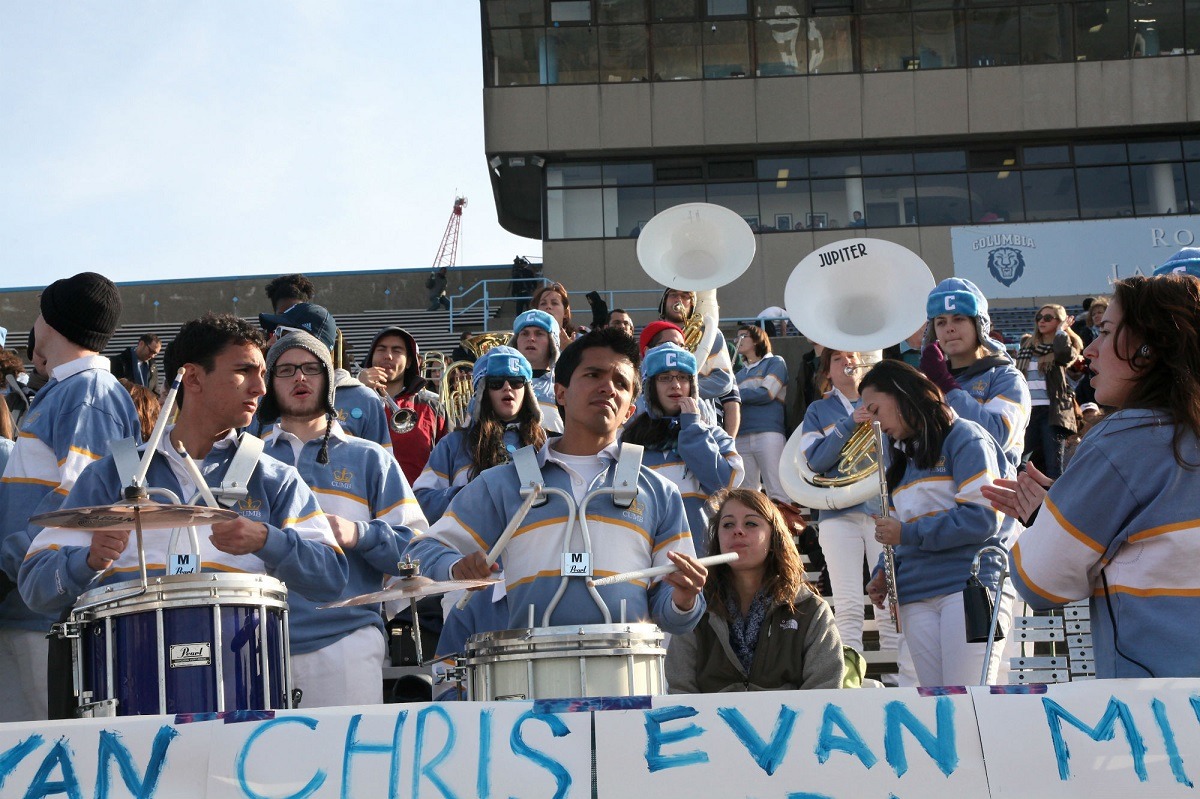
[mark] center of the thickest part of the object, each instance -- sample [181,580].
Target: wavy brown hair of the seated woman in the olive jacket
[784,570]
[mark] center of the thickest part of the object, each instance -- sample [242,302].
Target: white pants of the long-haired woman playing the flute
[935,630]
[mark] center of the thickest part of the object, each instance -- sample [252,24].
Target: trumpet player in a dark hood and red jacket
[394,368]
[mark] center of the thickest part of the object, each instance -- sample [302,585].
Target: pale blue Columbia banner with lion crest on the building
[1051,260]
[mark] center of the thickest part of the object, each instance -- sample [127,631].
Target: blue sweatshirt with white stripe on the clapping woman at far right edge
[1125,509]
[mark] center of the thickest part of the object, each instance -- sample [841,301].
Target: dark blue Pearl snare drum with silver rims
[191,644]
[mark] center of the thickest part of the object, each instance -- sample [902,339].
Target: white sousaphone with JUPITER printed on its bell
[855,296]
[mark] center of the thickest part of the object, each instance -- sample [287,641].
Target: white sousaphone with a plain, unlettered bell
[698,248]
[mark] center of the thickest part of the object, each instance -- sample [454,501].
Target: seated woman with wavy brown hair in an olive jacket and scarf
[765,628]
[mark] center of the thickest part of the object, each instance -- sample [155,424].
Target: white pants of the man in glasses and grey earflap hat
[346,672]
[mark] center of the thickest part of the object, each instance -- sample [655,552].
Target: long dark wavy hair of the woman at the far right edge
[1162,316]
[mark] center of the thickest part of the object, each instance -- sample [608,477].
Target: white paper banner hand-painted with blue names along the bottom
[1099,740]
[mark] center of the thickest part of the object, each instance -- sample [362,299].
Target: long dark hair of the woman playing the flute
[923,410]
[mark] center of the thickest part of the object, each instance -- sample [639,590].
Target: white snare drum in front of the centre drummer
[565,663]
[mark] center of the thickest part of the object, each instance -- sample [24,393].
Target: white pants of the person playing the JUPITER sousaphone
[845,540]
